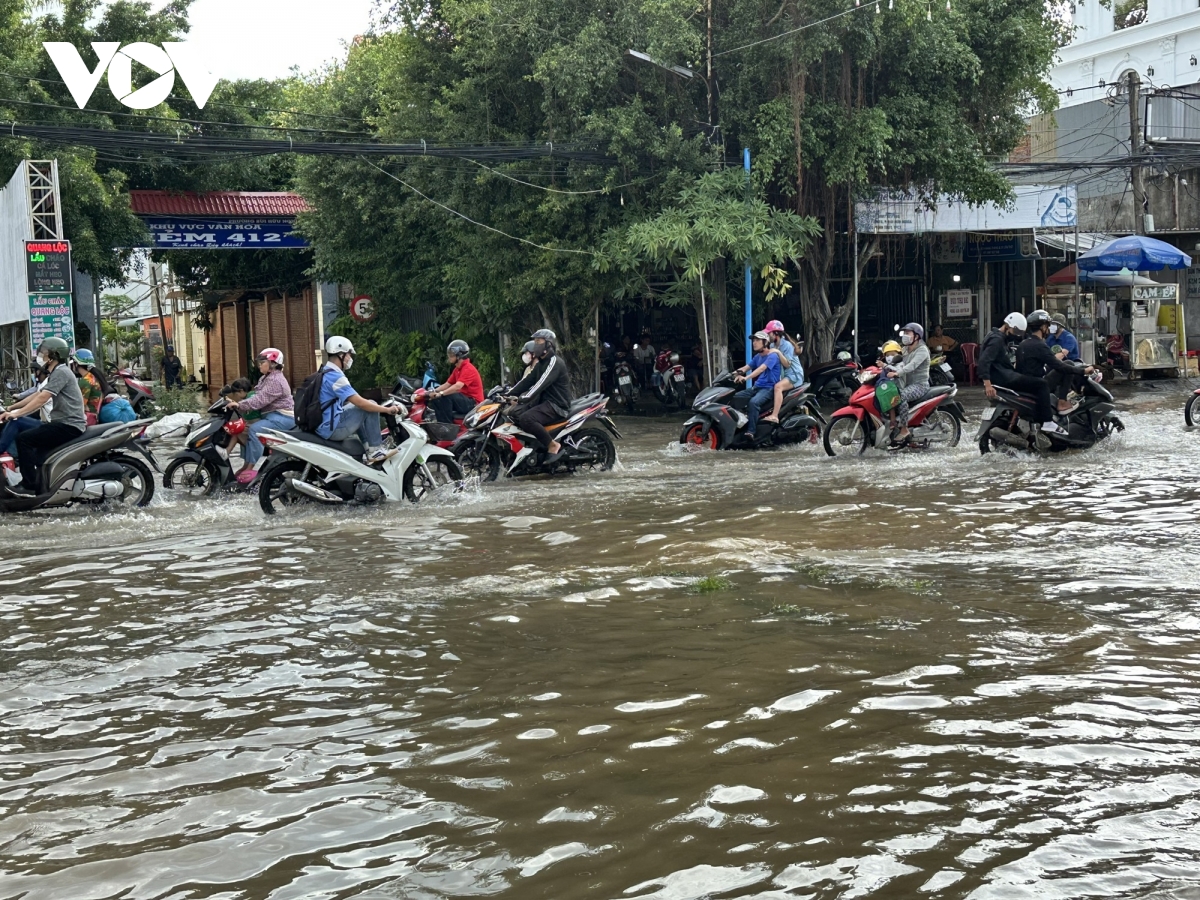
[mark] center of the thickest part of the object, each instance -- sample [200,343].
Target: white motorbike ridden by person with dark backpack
[307,469]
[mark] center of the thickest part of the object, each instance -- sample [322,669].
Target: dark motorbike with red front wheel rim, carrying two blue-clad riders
[721,422]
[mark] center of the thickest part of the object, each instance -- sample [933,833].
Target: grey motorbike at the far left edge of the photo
[95,469]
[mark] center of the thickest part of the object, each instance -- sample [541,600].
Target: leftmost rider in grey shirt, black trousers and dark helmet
[67,418]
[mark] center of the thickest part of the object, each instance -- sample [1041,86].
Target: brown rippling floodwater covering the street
[704,675]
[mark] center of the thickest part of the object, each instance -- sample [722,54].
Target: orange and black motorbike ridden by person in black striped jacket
[497,445]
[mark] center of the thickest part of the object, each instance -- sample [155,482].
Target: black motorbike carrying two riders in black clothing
[1011,422]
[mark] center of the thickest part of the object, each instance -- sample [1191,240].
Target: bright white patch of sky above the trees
[265,39]
